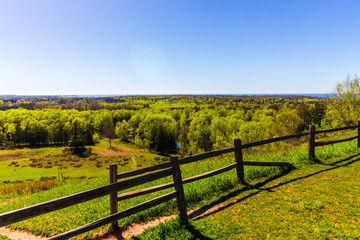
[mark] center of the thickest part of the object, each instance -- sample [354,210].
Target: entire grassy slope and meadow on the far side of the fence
[64,178]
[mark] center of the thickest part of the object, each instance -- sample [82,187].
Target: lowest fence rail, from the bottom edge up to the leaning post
[128,212]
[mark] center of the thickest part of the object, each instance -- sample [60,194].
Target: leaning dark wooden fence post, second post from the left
[179,189]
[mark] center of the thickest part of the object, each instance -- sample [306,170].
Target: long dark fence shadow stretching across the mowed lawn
[201,213]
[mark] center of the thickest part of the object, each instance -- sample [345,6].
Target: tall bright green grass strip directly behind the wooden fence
[197,194]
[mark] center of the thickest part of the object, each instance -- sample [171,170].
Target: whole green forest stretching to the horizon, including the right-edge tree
[178,124]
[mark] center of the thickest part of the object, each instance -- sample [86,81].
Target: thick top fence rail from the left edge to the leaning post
[50,206]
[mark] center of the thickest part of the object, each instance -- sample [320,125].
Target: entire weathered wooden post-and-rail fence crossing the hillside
[162,170]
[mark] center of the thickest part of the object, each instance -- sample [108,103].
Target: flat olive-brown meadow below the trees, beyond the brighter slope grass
[27,164]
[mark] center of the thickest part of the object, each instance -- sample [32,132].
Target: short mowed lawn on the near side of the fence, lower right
[320,201]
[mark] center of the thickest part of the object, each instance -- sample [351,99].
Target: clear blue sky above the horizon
[177,46]
